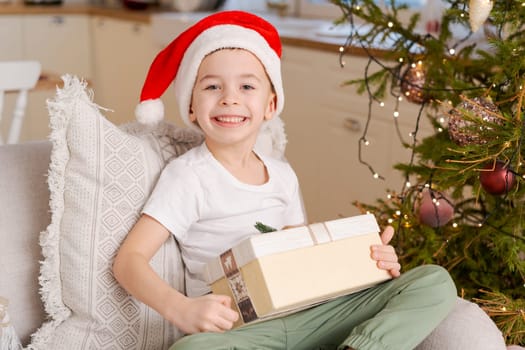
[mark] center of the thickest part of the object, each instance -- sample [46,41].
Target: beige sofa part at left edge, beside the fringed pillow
[25,213]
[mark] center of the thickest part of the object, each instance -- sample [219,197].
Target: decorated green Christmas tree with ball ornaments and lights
[462,204]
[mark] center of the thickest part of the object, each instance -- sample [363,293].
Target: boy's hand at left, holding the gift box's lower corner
[208,313]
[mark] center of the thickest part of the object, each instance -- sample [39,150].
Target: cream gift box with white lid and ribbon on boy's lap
[272,274]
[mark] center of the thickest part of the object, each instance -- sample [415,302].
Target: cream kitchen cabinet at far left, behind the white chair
[61,43]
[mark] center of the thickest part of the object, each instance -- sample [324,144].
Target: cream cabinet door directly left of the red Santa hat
[123,52]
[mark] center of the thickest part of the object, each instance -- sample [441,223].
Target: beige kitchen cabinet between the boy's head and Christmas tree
[325,121]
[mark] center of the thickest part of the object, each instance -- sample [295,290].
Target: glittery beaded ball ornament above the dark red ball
[461,131]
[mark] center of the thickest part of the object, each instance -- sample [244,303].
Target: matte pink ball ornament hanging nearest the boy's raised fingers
[435,209]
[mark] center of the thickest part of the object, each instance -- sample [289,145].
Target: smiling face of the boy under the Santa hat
[232,97]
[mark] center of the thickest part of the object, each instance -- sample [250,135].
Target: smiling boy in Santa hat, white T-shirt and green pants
[226,71]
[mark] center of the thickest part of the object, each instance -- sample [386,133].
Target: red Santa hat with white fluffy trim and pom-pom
[180,60]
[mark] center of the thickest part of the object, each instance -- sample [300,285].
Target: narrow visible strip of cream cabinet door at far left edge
[11,38]
